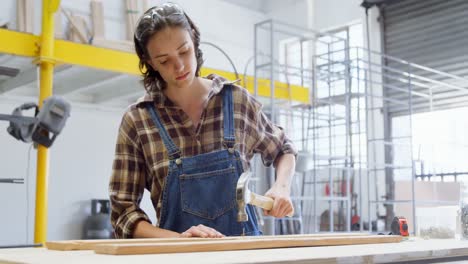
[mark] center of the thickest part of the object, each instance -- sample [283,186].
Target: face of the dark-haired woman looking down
[172,54]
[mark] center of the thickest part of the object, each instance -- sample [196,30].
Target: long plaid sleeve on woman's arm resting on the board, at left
[127,181]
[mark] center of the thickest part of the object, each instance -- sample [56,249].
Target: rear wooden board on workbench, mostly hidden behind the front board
[90,244]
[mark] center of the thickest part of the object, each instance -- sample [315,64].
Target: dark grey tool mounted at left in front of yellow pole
[50,119]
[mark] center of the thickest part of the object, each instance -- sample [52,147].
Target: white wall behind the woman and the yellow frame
[81,157]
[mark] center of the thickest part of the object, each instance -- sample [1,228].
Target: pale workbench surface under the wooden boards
[412,249]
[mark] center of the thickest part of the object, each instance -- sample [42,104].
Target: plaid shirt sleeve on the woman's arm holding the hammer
[271,140]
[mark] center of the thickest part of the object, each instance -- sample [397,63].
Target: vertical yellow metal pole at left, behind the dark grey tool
[46,62]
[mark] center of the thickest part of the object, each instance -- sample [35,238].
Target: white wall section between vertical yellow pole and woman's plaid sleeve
[81,162]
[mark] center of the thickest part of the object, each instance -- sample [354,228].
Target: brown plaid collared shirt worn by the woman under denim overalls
[141,160]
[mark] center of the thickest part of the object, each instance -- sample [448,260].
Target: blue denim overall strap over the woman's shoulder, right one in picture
[228,117]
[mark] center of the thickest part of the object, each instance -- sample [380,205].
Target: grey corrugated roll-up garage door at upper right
[433,33]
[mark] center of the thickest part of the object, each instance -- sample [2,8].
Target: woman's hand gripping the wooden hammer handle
[282,204]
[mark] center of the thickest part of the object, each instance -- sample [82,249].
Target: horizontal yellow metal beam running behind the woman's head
[112,60]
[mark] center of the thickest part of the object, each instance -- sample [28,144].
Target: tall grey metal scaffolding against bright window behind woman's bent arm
[325,164]
